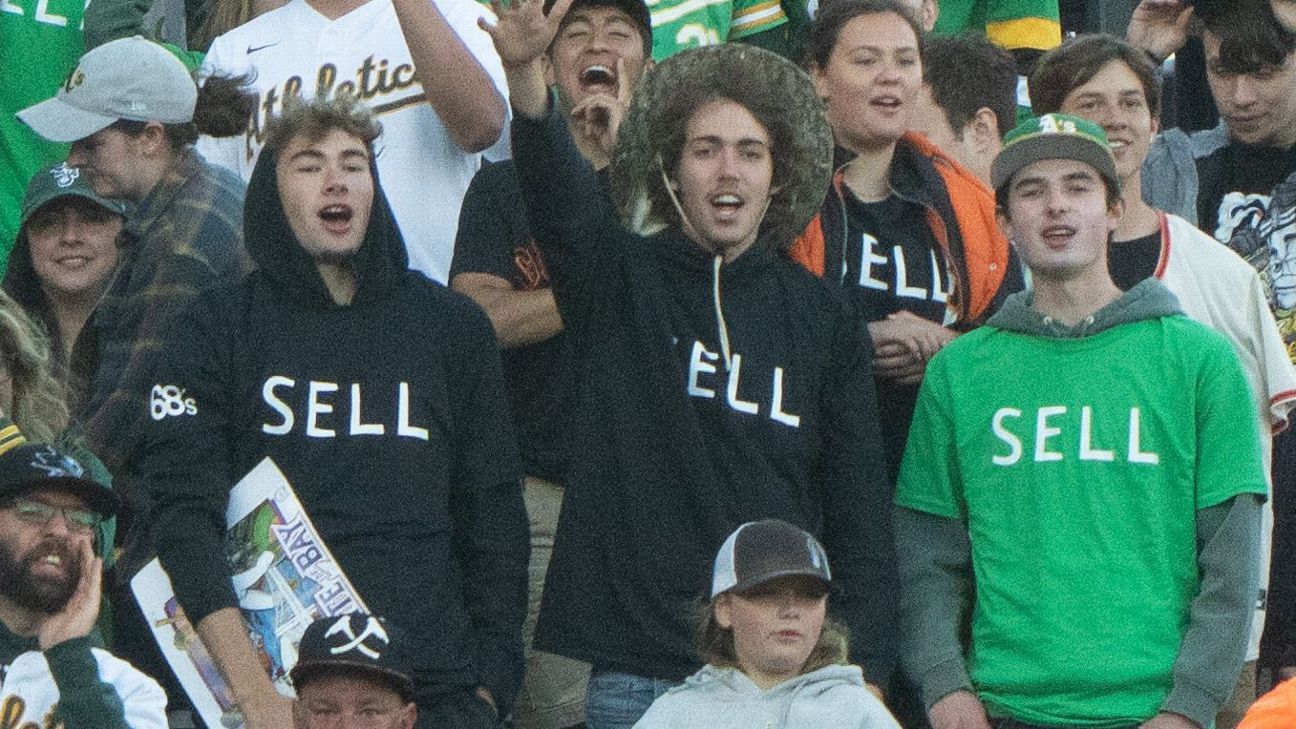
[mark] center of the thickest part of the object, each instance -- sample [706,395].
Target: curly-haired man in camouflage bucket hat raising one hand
[719,381]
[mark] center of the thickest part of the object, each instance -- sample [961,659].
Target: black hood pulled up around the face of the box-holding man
[380,263]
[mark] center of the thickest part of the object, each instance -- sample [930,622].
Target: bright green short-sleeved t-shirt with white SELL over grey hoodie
[1079,466]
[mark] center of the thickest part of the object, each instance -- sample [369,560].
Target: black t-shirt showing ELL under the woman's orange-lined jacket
[894,264]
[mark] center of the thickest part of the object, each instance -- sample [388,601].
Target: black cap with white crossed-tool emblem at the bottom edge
[357,644]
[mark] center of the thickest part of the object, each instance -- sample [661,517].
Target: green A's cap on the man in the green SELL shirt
[1054,137]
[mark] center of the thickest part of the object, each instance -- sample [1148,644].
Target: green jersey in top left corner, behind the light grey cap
[41,42]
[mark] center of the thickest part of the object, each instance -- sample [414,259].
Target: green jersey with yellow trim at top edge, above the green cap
[1010,24]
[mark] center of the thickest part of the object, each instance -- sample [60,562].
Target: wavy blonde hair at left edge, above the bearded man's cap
[40,399]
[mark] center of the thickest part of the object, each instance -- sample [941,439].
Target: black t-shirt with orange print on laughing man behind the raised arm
[494,239]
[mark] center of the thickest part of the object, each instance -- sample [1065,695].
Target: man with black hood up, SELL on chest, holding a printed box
[380,396]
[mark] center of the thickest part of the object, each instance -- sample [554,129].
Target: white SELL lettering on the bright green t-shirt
[1061,436]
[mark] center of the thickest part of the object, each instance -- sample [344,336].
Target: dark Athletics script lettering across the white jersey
[371,81]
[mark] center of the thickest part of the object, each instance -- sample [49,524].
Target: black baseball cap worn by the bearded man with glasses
[27,468]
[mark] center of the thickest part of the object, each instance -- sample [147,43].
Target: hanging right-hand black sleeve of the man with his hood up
[489,517]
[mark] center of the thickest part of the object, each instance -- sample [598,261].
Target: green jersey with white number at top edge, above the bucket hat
[688,24]
